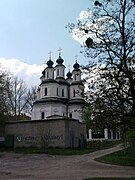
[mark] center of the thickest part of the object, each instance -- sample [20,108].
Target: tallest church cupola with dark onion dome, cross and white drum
[60,68]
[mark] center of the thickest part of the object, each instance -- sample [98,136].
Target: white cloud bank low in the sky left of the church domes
[30,73]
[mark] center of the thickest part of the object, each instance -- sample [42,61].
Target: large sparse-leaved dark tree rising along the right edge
[108,33]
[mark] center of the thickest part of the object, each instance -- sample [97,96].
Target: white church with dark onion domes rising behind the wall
[57,95]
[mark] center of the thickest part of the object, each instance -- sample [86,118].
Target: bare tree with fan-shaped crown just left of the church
[20,98]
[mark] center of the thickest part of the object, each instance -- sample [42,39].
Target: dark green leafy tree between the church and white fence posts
[97,117]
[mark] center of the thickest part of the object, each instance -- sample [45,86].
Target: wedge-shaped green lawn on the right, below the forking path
[123,157]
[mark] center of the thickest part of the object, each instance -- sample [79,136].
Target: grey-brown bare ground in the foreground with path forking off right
[77,167]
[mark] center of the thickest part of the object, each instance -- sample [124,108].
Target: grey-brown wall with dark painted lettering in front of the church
[43,133]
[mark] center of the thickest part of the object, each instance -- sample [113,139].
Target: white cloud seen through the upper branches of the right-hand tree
[85,21]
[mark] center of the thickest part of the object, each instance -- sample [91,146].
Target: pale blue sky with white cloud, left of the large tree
[29,29]
